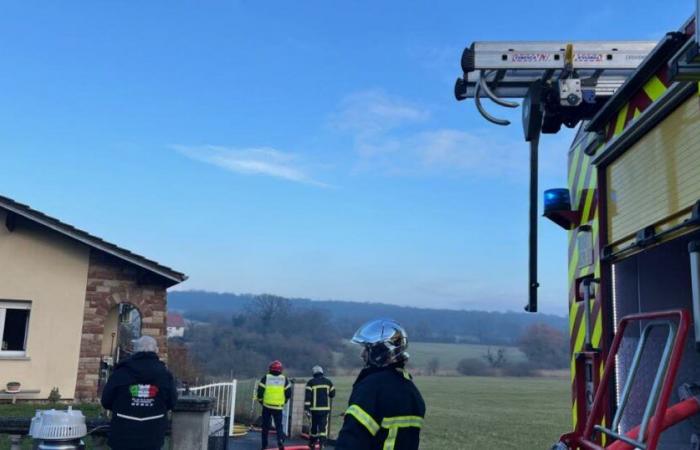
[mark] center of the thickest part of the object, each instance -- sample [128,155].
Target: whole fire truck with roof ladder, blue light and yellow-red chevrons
[632,213]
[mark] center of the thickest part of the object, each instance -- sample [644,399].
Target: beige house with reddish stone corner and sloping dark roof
[70,303]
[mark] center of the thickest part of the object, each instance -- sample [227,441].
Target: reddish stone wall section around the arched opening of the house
[110,282]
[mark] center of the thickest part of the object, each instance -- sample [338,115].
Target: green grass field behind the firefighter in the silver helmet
[474,413]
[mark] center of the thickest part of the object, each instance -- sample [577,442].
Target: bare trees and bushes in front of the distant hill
[242,344]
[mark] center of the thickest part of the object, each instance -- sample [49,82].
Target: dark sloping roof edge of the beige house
[95,242]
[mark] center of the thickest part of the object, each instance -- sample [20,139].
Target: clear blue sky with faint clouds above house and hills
[306,149]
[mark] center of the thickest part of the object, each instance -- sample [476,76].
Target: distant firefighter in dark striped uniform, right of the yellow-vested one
[317,402]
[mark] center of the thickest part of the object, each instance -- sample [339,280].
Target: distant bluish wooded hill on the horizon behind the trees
[422,324]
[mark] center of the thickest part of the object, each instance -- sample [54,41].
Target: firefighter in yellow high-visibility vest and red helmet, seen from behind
[274,390]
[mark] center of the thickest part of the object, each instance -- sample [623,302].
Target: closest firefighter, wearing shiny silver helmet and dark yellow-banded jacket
[385,410]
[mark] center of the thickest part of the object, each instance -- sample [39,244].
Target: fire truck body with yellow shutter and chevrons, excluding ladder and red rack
[634,179]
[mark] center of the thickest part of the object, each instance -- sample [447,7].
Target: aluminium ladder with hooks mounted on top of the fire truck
[576,77]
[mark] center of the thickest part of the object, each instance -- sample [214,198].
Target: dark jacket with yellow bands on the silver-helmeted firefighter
[385,412]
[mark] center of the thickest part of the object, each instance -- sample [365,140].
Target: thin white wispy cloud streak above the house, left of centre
[262,161]
